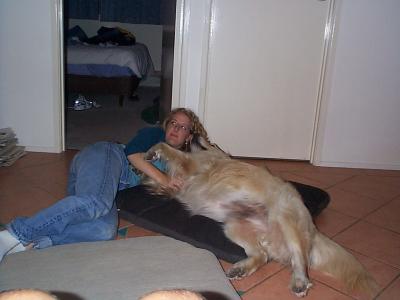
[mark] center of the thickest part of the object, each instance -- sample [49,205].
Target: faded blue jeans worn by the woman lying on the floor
[89,212]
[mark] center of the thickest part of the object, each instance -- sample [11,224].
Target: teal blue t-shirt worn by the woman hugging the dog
[140,143]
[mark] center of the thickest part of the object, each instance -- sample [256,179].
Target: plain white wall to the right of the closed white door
[360,117]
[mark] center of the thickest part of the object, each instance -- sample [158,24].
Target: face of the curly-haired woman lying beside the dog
[178,130]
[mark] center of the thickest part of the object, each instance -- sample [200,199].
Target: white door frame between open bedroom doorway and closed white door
[192,31]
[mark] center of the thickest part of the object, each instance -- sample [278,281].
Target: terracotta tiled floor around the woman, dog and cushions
[363,216]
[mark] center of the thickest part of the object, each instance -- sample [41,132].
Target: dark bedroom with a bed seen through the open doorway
[117,54]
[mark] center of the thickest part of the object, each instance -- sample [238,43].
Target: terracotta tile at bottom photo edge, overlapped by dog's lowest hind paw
[277,287]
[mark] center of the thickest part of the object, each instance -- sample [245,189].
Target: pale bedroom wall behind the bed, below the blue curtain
[150,35]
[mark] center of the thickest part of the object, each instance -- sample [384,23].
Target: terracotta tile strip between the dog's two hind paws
[260,275]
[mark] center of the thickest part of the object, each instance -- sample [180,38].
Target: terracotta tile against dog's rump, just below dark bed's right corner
[331,222]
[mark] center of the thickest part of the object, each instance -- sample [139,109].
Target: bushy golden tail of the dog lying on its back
[328,257]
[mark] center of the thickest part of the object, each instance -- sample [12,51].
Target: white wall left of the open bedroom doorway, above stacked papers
[29,73]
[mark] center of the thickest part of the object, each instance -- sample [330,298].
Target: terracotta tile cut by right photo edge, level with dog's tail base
[373,241]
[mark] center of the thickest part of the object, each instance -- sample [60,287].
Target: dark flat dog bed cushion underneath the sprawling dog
[169,217]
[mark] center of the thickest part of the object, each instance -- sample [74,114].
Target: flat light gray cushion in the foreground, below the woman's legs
[123,269]
